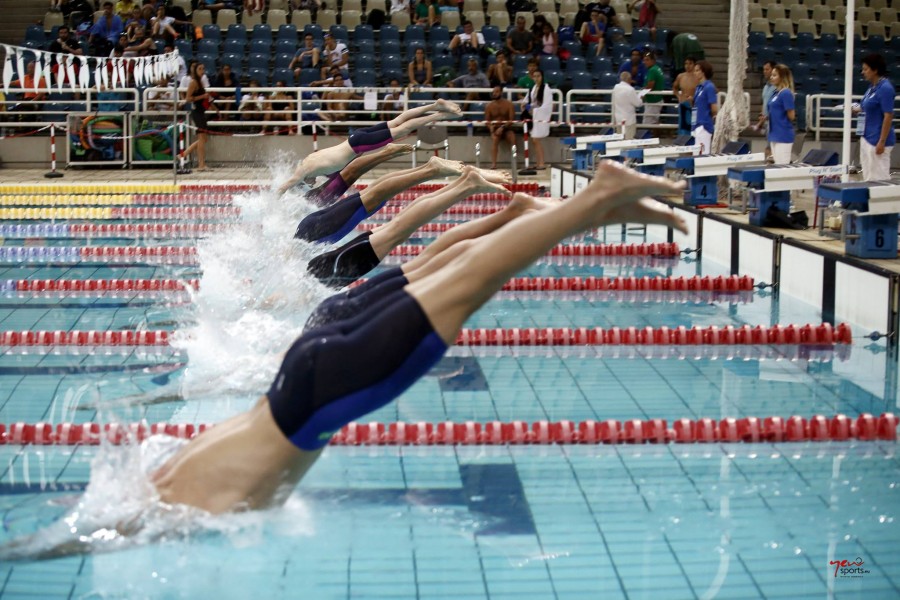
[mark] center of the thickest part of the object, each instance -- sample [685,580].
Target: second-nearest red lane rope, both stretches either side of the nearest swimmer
[817,335]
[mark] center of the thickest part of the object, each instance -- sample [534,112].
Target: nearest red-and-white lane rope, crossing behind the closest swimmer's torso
[818,428]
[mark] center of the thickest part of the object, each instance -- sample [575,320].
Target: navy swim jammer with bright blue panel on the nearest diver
[339,372]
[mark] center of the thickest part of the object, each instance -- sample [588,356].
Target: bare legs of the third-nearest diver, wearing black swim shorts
[390,235]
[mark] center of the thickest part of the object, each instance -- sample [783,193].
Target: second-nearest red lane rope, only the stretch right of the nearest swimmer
[660,336]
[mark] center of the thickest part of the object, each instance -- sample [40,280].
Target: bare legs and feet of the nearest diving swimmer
[449,296]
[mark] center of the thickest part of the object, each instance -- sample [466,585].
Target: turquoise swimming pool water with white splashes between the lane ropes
[481,521]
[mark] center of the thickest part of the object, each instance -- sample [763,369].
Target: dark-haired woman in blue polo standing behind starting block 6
[878,136]
